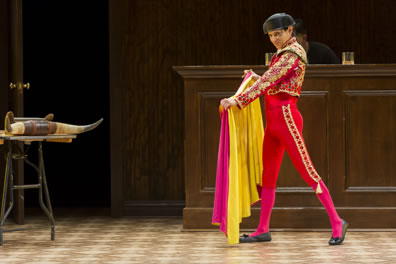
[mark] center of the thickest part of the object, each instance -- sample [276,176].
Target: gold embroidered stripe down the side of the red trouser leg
[299,143]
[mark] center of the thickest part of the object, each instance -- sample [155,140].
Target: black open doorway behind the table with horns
[66,63]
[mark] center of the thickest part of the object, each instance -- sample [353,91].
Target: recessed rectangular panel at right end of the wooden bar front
[370,119]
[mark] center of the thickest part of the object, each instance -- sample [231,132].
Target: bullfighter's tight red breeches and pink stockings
[284,132]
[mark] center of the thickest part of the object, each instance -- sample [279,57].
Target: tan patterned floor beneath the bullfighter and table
[131,240]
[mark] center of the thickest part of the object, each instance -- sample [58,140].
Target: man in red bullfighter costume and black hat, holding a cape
[281,85]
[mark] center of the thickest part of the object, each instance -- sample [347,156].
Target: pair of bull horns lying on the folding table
[43,126]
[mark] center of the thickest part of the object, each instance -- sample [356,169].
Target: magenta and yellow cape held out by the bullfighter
[239,165]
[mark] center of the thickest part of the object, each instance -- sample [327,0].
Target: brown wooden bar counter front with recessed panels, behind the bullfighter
[349,116]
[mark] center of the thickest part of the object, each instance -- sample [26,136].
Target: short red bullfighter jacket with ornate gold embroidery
[285,74]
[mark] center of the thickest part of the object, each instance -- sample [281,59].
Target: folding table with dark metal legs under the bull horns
[9,186]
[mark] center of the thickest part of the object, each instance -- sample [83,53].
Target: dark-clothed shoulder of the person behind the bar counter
[319,53]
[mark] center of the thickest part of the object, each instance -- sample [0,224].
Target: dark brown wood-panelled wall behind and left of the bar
[161,34]
